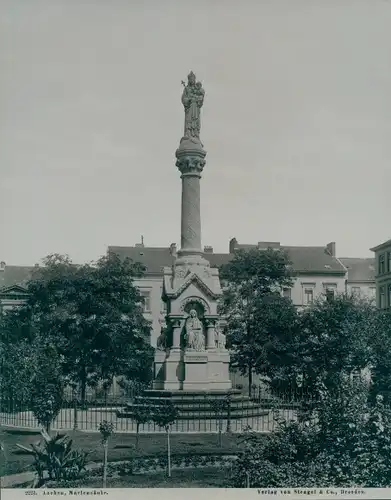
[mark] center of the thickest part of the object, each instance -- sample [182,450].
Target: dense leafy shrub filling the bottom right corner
[343,441]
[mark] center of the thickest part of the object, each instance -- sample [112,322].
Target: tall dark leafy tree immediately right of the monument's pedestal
[258,318]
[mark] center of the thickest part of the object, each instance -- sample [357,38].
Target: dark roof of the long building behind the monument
[304,259]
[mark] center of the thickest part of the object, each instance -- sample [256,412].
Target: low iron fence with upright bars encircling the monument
[196,413]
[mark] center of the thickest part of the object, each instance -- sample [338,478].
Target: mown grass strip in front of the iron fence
[121,446]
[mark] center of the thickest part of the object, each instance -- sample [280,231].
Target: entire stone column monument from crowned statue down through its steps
[191,365]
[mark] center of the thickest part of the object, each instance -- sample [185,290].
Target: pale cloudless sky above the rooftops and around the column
[296,122]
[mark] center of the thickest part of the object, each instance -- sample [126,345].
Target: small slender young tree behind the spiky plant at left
[47,386]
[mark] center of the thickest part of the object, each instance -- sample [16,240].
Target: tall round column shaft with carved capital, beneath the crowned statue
[190,163]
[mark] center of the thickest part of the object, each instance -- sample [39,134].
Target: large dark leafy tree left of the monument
[93,314]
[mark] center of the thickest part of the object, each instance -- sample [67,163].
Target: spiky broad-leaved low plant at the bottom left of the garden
[54,459]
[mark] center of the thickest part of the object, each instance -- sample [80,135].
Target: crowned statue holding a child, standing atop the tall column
[192,100]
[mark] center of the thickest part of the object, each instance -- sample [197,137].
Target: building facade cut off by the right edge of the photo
[383,274]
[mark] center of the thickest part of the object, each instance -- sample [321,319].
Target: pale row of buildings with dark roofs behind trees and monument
[317,271]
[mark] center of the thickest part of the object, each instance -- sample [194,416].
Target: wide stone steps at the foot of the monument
[193,405]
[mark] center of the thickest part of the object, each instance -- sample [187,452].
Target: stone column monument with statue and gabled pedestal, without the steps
[191,353]
